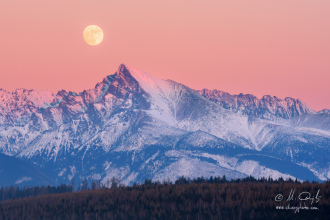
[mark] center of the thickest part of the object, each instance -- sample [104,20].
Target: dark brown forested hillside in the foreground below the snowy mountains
[212,198]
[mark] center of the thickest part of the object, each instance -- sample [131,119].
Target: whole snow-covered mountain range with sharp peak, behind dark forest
[134,126]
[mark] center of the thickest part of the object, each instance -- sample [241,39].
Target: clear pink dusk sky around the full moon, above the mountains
[259,47]
